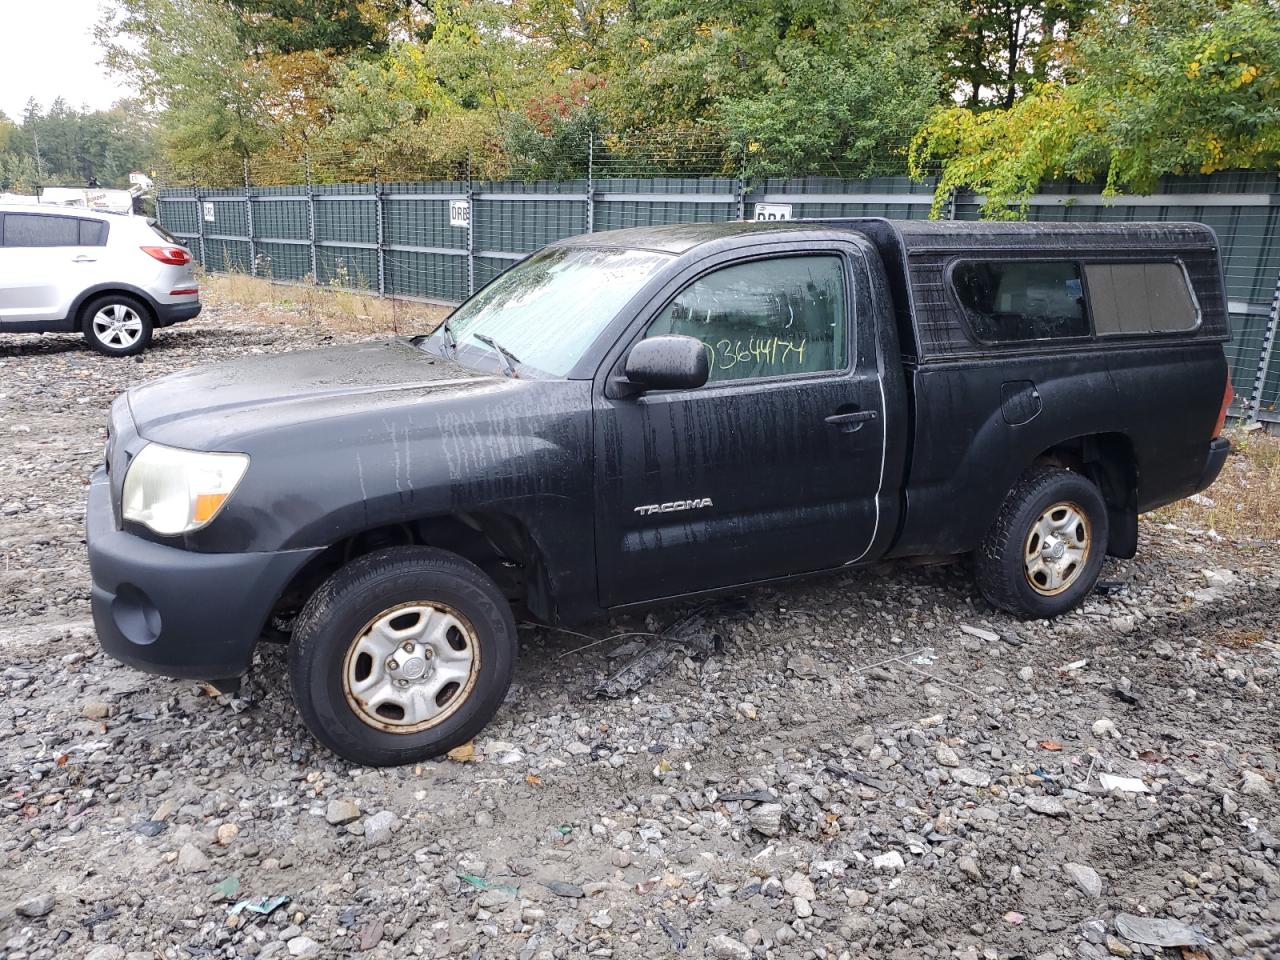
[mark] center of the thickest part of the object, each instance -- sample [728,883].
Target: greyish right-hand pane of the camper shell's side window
[1141,299]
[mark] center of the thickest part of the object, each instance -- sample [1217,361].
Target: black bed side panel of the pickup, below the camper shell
[967,456]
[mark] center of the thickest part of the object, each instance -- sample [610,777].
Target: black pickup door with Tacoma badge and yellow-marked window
[771,469]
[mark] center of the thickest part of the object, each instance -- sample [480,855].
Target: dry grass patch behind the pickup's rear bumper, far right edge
[1245,504]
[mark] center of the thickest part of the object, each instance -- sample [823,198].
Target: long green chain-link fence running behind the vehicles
[441,240]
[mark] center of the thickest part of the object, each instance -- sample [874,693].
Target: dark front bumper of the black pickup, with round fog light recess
[177,612]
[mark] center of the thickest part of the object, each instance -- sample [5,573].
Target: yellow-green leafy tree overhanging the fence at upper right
[1163,88]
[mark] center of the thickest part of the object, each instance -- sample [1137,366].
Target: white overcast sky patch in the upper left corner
[49,52]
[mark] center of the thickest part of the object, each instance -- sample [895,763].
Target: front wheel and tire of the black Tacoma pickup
[344,670]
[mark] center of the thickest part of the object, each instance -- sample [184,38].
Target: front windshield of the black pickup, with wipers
[551,308]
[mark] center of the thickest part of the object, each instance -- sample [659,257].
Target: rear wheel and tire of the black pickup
[1031,563]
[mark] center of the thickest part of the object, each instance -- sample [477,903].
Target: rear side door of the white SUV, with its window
[43,259]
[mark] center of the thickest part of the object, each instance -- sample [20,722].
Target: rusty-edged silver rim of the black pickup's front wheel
[412,668]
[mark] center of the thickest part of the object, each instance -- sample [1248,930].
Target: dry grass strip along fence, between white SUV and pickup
[321,308]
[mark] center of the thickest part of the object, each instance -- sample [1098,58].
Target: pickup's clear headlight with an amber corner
[176,492]
